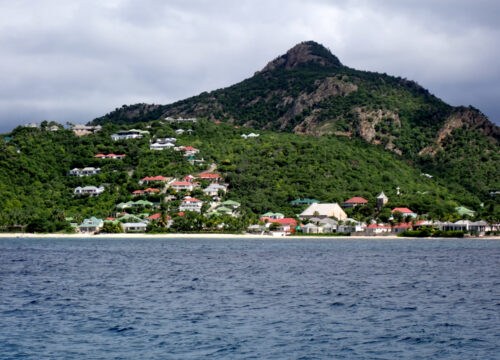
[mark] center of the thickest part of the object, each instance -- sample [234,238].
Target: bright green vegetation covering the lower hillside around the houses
[264,174]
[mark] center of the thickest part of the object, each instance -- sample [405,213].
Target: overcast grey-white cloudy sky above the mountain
[74,60]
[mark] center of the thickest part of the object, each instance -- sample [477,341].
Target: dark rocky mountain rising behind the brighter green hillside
[309,91]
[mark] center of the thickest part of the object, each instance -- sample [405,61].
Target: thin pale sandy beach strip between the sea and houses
[214,236]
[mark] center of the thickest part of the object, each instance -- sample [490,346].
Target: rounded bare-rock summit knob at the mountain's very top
[307,52]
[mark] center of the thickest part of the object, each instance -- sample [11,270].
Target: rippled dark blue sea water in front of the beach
[249,299]
